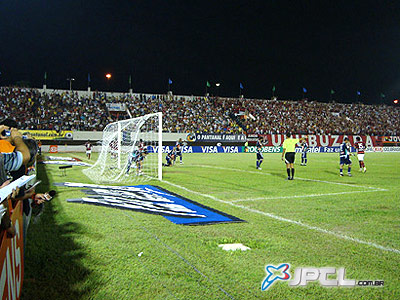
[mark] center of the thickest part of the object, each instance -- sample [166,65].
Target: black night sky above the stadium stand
[321,45]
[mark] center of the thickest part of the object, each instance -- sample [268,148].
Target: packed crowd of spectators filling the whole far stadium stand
[69,111]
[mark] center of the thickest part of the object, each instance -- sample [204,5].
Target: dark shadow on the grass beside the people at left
[53,267]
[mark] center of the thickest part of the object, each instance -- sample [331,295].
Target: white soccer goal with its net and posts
[131,151]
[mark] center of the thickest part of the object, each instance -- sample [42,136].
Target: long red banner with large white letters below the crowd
[319,140]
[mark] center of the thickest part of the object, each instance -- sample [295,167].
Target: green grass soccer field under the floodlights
[78,251]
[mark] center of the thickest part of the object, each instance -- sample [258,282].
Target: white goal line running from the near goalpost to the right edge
[338,235]
